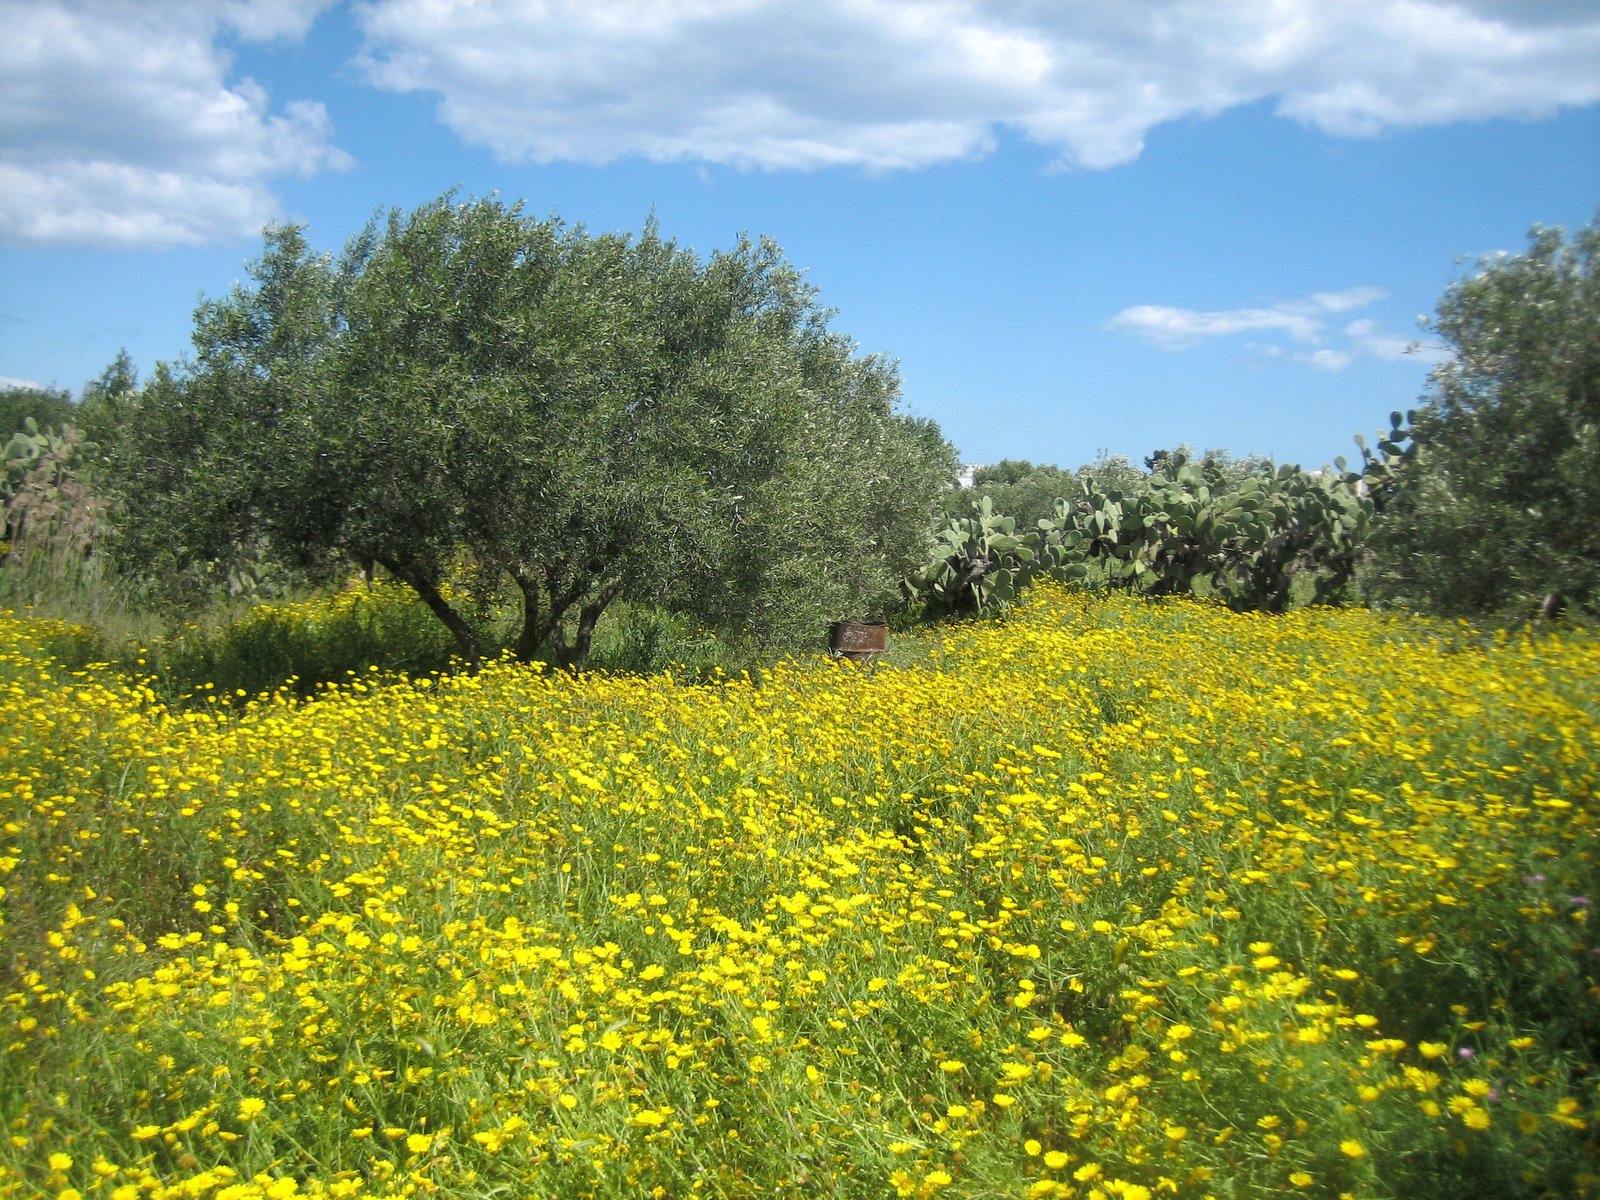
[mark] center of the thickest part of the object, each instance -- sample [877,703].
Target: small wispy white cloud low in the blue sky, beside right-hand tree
[1305,322]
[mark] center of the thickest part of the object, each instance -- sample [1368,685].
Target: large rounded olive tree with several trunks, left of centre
[578,417]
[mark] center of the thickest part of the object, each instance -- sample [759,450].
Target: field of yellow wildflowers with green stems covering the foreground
[1111,900]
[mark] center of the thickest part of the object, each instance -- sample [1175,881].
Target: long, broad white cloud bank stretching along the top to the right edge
[902,84]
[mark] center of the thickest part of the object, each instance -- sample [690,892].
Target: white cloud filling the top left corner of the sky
[119,124]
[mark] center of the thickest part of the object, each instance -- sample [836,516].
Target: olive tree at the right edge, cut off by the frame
[1500,505]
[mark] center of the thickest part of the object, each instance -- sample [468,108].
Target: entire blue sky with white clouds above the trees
[1079,226]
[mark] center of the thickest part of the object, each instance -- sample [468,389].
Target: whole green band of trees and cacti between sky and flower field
[489,406]
